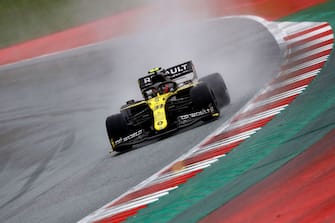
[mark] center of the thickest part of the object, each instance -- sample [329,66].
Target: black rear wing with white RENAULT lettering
[180,73]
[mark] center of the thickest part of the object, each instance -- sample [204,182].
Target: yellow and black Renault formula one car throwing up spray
[173,98]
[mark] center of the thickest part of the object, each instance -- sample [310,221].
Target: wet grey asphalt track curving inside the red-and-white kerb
[54,161]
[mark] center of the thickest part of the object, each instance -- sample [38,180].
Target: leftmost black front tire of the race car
[116,126]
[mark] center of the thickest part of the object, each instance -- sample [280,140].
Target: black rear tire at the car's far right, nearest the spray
[218,85]
